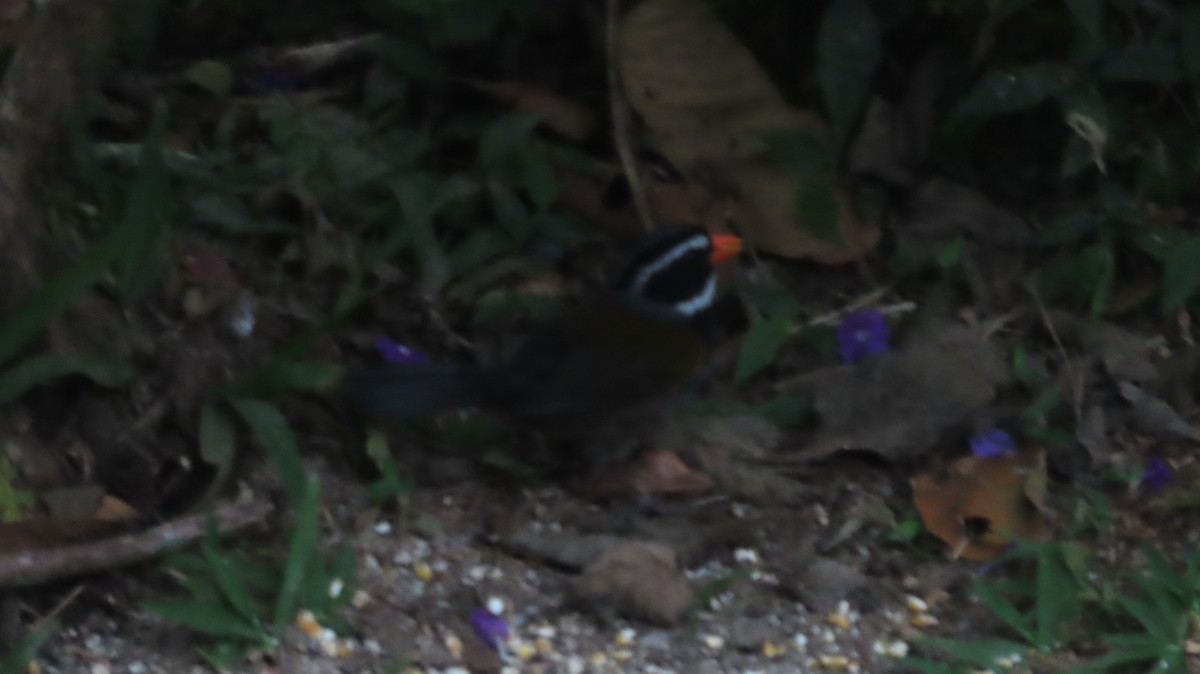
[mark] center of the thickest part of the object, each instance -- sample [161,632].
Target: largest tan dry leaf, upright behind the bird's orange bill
[709,105]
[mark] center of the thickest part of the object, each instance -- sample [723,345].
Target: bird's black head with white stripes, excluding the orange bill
[673,270]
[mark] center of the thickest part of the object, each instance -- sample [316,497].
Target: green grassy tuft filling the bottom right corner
[1142,623]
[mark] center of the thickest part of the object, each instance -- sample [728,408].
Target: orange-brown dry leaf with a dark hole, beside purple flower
[985,504]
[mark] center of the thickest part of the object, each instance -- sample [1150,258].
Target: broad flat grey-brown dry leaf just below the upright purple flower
[899,404]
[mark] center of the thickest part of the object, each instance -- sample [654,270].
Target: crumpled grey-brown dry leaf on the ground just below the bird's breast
[734,450]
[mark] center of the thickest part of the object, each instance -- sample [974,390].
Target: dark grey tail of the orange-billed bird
[409,392]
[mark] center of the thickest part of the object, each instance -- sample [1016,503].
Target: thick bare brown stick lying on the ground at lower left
[33,568]
